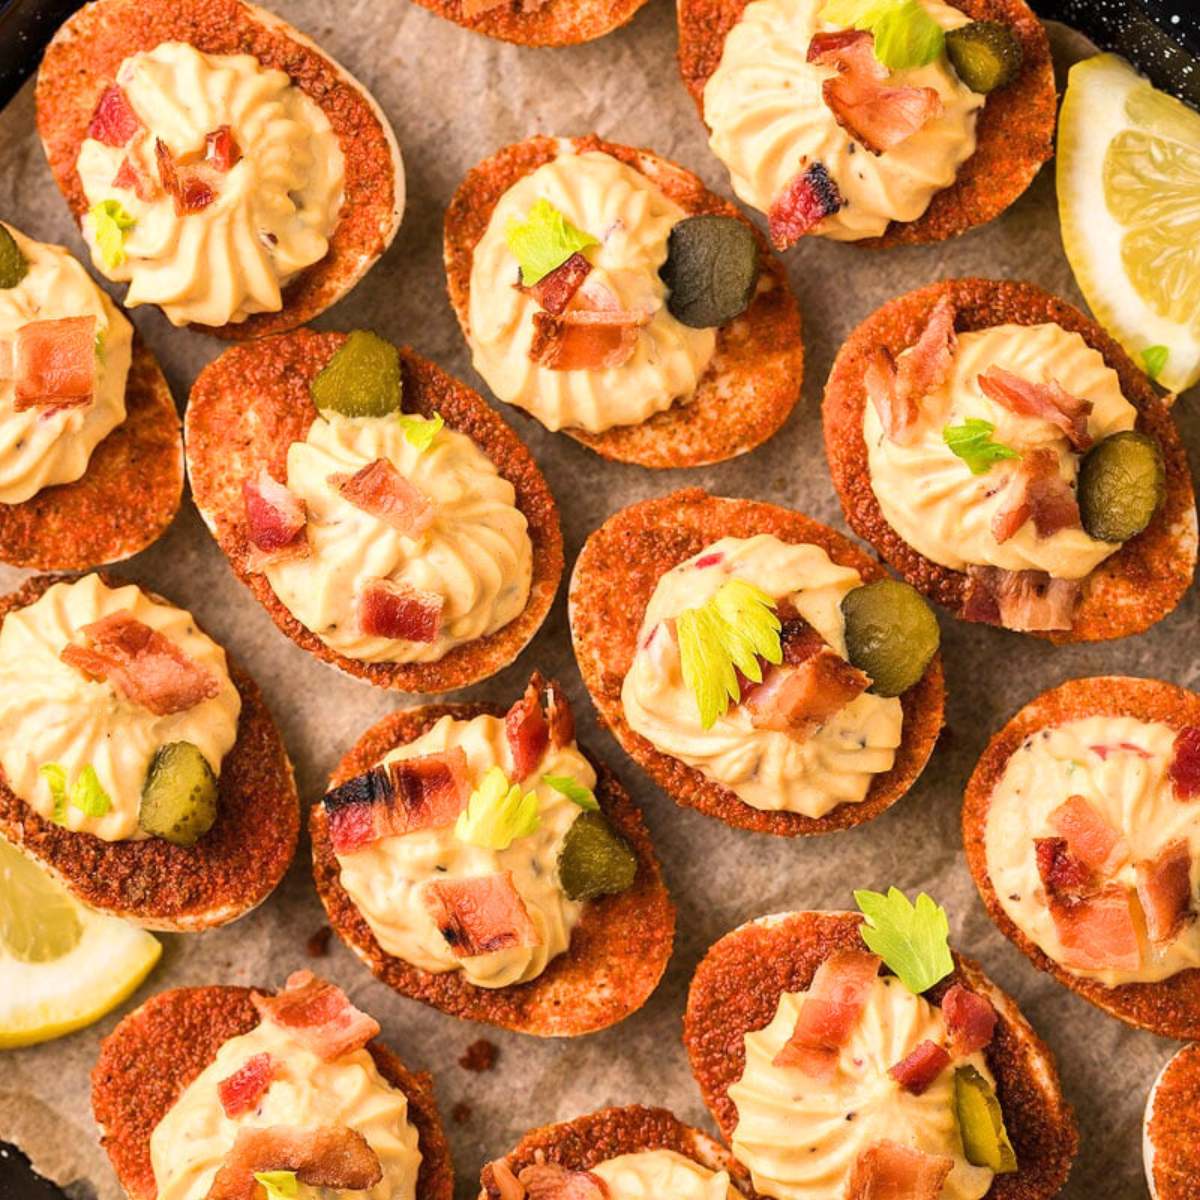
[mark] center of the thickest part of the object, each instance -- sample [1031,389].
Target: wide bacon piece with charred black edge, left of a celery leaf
[428,793]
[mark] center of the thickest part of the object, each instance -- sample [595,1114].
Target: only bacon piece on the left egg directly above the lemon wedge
[142,664]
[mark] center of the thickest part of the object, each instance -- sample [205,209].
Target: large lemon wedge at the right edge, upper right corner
[1129,176]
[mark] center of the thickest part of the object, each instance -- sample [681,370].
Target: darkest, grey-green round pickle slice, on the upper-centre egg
[712,271]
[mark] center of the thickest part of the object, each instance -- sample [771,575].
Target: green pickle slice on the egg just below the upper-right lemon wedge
[1121,484]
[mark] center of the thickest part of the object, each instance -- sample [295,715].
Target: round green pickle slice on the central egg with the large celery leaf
[891,634]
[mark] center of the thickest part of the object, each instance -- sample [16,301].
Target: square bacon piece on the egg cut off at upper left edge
[55,363]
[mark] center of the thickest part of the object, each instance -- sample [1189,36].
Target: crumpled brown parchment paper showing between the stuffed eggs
[455,98]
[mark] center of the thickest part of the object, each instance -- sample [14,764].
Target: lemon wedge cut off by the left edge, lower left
[62,965]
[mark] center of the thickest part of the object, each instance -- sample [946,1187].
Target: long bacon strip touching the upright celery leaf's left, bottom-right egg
[830,1012]
